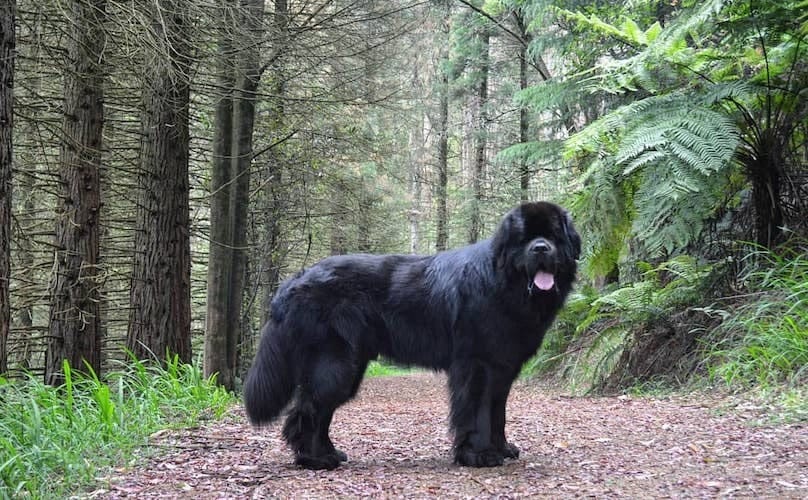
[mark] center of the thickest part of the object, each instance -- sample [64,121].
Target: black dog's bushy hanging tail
[270,382]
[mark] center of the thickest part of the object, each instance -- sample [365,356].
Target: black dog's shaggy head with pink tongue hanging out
[537,241]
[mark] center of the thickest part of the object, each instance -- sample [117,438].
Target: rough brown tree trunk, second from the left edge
[75,295]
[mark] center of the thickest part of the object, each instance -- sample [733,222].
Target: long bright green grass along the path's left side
[54,440]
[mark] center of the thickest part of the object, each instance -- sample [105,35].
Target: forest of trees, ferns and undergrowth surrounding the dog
[165,165]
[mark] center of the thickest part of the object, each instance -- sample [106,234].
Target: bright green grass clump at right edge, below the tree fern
[765,340]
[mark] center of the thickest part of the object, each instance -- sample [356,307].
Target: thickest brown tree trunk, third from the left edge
[160,318]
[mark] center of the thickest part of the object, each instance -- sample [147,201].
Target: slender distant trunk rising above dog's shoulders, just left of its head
[479,138]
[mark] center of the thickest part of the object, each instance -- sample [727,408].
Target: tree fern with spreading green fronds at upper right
[685,107]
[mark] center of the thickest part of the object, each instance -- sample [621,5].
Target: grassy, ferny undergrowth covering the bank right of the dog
[756,339]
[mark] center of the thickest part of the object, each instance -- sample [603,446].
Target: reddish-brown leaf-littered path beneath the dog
[397,441]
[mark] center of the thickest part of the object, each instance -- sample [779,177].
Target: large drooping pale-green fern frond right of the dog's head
[669,147]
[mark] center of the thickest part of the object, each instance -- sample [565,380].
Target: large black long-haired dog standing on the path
[478,312]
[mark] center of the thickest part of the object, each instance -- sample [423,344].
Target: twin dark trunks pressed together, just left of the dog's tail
[228,257]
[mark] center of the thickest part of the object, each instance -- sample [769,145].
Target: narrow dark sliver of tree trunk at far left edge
[8,12]
